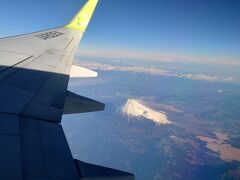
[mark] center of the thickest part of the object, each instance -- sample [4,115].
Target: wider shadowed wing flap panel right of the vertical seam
[45,151]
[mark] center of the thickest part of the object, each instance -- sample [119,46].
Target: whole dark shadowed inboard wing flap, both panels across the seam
[33,149]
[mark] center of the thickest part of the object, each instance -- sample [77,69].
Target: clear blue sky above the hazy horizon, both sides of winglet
[194,28]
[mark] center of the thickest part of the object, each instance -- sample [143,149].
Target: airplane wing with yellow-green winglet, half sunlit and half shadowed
[34,75]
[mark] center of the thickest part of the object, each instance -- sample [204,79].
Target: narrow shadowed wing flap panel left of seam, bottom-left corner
[10,156]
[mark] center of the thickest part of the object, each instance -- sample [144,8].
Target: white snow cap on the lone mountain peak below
[136,108]
